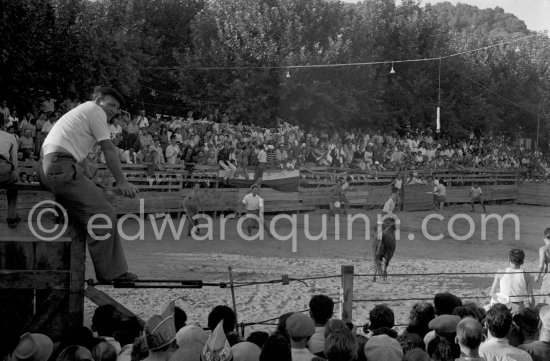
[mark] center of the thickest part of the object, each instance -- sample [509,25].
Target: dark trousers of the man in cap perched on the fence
[82,199]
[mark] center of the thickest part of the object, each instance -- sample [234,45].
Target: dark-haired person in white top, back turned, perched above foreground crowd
[514,283]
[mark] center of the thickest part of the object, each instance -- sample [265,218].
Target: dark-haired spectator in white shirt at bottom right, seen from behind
[498,323]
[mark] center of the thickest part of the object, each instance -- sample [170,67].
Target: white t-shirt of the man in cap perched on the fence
[79,130]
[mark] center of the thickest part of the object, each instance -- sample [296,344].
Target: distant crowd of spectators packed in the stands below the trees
[211,137]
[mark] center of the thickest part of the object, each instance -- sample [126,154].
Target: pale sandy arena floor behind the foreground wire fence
[258,260]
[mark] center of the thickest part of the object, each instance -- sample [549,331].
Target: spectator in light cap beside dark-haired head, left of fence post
[300,328]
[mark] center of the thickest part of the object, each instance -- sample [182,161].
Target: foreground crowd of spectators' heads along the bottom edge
[445,330]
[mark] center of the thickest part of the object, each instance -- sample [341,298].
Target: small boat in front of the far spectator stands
[278,179]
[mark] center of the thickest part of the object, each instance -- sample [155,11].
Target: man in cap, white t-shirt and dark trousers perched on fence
[62,171]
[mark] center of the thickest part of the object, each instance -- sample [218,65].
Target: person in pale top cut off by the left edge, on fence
[8,172]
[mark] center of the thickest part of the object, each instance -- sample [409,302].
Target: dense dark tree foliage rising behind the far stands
[67,46]
